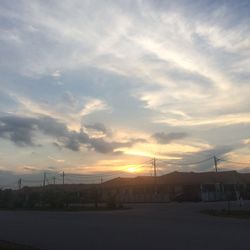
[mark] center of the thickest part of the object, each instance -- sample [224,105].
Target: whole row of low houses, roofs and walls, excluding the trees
[175,186]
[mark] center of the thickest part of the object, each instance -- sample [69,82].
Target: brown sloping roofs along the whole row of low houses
[174,178]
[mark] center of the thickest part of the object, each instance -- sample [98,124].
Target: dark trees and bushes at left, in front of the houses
[50,198]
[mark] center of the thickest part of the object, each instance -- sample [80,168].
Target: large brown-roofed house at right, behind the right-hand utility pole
[205,186]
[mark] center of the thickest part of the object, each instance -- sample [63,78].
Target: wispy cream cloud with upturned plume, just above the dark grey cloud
[68,108]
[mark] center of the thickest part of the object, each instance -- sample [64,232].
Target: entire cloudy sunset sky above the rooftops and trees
[92,87]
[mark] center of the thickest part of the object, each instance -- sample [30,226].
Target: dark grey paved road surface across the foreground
[146,227]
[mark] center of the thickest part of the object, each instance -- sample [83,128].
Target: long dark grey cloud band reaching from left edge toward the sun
[22,131]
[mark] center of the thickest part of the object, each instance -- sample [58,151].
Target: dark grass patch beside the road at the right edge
[239,214]
